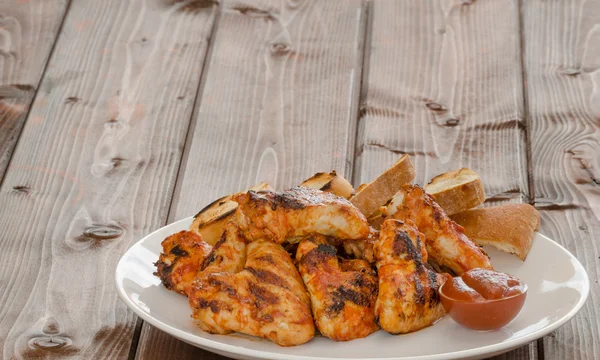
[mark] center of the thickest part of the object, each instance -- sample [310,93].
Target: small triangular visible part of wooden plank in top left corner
[28,31]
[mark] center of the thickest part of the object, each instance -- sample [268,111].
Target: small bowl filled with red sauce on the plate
[483,299]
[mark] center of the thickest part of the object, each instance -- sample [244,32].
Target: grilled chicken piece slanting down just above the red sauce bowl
[445,240]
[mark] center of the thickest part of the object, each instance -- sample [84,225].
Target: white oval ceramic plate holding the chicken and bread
[558,287]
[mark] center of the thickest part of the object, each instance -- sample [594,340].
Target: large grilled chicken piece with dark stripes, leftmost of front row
[254,289]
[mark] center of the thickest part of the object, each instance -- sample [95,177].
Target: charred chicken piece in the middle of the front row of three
[342,293]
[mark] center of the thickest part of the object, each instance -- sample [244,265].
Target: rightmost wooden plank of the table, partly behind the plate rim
[562,58]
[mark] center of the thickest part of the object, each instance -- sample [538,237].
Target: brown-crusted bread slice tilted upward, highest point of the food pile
[380,190]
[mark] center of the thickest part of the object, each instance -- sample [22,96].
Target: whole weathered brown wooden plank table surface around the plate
[118,117]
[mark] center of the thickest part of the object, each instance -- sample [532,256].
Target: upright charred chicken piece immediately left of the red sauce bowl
[408,299]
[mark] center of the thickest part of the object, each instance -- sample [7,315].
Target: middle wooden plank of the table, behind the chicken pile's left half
[279,104]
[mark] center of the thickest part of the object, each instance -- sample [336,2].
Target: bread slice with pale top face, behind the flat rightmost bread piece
[457,191]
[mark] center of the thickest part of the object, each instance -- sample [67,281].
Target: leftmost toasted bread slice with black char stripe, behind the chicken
[210,221]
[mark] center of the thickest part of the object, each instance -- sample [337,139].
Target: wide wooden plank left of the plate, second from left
[94,171]
